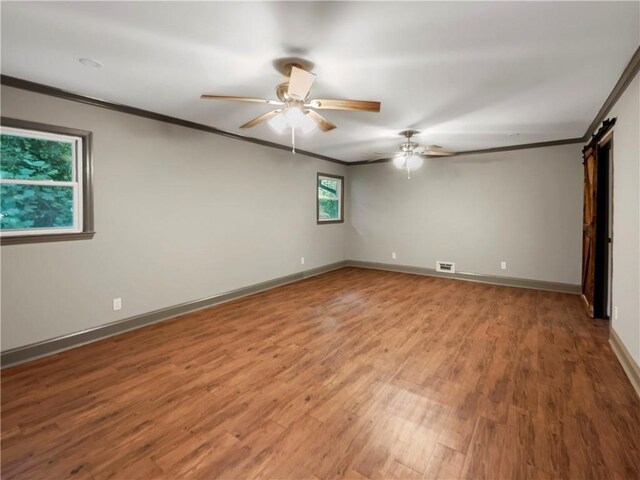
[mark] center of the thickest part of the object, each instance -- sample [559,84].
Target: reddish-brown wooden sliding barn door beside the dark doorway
[589,226]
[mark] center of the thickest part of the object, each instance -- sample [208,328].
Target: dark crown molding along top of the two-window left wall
[96,102]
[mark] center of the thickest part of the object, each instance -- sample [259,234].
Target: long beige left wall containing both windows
[180,215]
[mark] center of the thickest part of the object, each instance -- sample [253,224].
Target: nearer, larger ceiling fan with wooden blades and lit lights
[295,108]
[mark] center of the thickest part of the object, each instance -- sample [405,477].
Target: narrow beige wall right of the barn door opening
[626,218]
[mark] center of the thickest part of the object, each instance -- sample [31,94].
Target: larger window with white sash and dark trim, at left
[45,183]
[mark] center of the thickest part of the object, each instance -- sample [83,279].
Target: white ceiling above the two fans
[468,75]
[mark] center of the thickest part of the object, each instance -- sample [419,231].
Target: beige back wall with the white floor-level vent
[523,207]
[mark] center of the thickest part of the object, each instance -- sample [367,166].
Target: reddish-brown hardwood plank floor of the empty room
[355,373]
